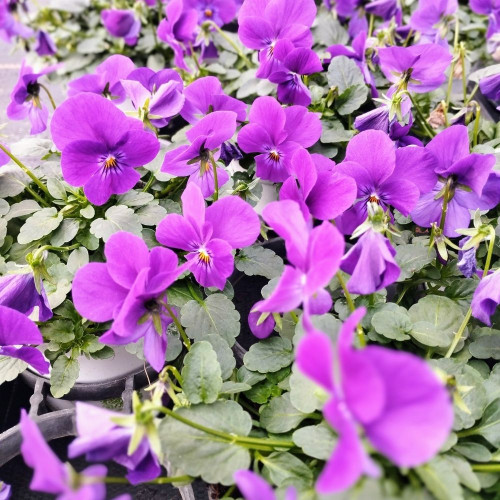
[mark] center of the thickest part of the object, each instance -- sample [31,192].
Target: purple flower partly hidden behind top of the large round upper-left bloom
[106,80]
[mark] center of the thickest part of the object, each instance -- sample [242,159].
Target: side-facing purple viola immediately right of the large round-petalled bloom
[194,160]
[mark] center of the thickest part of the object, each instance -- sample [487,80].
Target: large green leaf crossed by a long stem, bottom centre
[198,454]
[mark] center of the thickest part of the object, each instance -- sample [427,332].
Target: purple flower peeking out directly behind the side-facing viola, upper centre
[204,96]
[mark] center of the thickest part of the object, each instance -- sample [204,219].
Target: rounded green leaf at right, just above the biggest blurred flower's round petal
[435,320]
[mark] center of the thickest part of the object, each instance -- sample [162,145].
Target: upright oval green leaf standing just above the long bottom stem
[201,374]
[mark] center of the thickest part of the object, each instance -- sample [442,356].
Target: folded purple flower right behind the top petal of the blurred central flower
[317,187]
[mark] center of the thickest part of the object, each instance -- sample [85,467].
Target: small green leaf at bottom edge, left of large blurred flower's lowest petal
[284,468]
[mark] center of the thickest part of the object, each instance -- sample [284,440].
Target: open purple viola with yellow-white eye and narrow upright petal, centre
[209,235]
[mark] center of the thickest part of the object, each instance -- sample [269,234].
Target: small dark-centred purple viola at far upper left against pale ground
[25,99]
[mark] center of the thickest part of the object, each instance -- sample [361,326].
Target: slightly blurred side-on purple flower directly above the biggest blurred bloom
[314,256]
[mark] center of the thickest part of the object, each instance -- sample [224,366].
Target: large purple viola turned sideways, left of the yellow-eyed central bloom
[130,290]
